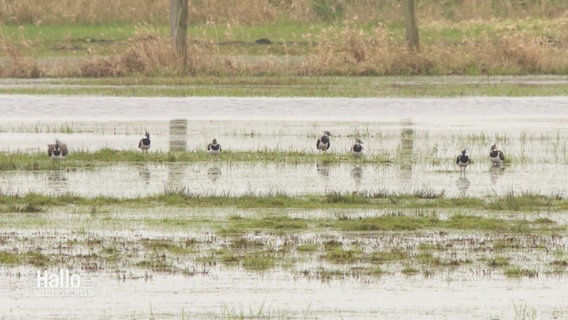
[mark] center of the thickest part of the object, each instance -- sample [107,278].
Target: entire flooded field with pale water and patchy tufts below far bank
[198,263]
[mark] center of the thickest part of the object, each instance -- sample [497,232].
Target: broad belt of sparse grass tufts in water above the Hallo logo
[348,246]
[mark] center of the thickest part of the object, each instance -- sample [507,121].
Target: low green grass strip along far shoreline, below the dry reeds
[292,87]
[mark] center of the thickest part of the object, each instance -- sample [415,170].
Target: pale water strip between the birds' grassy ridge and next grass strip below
[240,178]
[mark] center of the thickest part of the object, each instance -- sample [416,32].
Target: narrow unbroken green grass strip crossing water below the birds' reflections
[420,199]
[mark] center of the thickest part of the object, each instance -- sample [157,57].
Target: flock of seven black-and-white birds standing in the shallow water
[59,150]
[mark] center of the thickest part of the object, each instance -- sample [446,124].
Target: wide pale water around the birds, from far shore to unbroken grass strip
[421,136]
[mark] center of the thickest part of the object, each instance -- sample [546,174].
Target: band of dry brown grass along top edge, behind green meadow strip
[258,11]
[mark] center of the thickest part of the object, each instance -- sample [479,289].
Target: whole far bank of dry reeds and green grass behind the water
[303,38]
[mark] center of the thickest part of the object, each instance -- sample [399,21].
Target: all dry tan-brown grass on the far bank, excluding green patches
[521,46]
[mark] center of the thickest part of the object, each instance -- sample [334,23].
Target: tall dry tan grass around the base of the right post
[352,52]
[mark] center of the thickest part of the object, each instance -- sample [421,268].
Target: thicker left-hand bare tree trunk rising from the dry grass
[178,25]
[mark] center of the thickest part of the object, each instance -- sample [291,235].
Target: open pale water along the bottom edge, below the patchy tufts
[277,295]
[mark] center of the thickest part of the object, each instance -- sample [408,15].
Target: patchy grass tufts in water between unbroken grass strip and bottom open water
[191,240]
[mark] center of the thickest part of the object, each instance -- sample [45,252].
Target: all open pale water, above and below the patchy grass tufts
[422,136]
